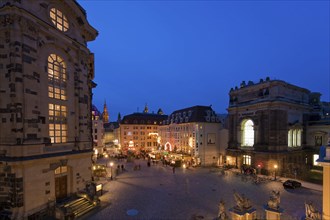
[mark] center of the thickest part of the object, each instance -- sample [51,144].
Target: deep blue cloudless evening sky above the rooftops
[177,54]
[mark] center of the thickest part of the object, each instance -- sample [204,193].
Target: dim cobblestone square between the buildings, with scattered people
[156,192]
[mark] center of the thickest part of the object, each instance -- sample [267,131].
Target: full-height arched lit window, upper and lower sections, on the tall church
[56,69]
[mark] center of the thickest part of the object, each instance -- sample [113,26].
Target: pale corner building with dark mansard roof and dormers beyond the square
[194,131]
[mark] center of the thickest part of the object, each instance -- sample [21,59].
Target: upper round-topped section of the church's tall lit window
[56,77]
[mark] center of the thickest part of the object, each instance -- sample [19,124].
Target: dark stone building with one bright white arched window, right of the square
[268,127]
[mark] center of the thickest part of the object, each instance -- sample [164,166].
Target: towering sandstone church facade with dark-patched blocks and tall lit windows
[46,73]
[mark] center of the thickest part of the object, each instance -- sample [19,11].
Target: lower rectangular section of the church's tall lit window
[57,123]
